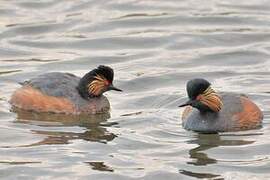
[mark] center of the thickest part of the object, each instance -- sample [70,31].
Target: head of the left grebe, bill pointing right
[96,82]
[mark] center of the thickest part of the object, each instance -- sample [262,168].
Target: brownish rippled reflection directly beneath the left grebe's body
[94,131]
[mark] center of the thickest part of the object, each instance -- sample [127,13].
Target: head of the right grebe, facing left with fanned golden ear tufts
[202,96]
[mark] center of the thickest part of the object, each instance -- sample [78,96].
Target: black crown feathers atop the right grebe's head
[196,87]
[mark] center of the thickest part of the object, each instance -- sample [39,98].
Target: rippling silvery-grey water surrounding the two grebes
[154,47]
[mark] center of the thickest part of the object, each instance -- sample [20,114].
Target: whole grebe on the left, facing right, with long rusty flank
[66,93]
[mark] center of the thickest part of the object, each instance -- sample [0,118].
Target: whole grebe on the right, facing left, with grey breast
[209,111]
